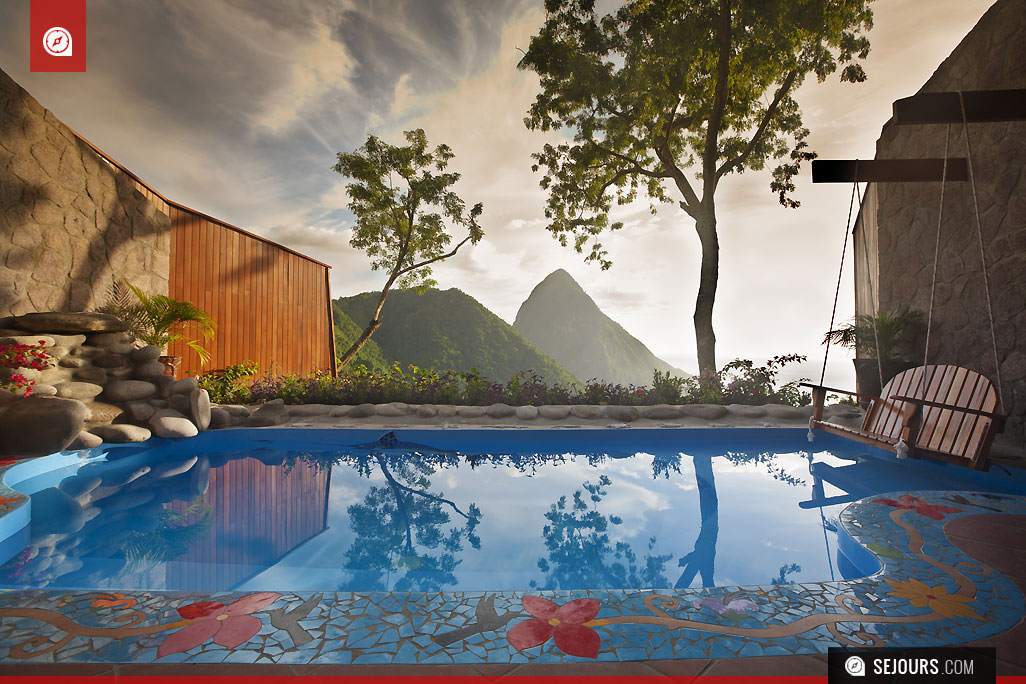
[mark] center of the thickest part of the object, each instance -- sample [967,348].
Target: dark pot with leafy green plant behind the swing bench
[900,335]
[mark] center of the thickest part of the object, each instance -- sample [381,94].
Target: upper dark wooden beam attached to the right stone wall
[981,106]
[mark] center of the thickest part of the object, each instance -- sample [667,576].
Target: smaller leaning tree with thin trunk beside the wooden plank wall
[402,197]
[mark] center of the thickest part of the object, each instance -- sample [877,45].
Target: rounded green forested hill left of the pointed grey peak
[450,331]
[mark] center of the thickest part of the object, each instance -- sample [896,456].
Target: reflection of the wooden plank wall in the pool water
[260,515]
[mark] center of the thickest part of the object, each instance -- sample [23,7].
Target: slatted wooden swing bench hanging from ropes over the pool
[950,414]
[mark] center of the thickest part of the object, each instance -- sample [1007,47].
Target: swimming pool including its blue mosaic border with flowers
[352,552]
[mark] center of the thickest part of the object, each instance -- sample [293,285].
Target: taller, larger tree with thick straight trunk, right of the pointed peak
[661,89]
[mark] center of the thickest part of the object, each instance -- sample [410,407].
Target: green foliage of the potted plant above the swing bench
[900,334]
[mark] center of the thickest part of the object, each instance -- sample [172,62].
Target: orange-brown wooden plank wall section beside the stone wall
[271,305]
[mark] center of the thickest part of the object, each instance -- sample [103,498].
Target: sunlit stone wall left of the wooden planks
[69,221]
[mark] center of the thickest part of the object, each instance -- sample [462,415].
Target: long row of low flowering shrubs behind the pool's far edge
[739,383]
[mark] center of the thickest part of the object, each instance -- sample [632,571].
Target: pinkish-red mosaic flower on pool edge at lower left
[230,626]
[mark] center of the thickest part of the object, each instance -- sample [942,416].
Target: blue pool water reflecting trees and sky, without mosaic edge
[330,510]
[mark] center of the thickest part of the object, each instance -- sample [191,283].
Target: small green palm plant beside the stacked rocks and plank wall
[164,320]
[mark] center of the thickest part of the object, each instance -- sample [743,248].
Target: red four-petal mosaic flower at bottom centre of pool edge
[566,623]
